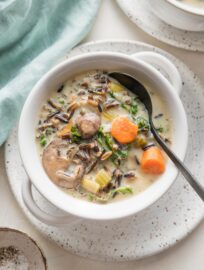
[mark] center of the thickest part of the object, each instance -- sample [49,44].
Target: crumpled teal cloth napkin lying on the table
[34,35]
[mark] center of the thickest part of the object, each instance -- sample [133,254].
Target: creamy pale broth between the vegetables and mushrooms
[75,90]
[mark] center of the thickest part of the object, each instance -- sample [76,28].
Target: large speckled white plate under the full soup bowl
[162,225]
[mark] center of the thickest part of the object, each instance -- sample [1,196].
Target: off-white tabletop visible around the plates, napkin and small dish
[111,23]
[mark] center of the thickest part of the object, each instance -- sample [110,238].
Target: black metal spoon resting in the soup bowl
[138,89]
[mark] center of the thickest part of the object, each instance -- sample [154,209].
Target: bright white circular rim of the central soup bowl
[80,206]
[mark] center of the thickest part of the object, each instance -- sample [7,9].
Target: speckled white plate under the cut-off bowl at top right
[139,13]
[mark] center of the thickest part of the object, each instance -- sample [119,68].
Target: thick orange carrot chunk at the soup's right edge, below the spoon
[153,161]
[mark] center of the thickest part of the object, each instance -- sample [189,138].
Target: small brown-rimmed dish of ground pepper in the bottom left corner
[19,251]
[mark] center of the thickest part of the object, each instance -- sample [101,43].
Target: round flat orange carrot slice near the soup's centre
[123,130]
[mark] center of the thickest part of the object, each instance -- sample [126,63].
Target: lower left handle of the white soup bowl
[39,213]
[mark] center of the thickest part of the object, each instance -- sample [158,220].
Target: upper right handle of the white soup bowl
[163,63]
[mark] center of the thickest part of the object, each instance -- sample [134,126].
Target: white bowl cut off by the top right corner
[179,15]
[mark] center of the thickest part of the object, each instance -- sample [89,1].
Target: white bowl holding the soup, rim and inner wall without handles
[52,80]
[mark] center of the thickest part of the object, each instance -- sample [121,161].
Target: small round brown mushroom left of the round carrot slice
[88,124]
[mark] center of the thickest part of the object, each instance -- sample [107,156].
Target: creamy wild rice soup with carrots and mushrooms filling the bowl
[94,138]
